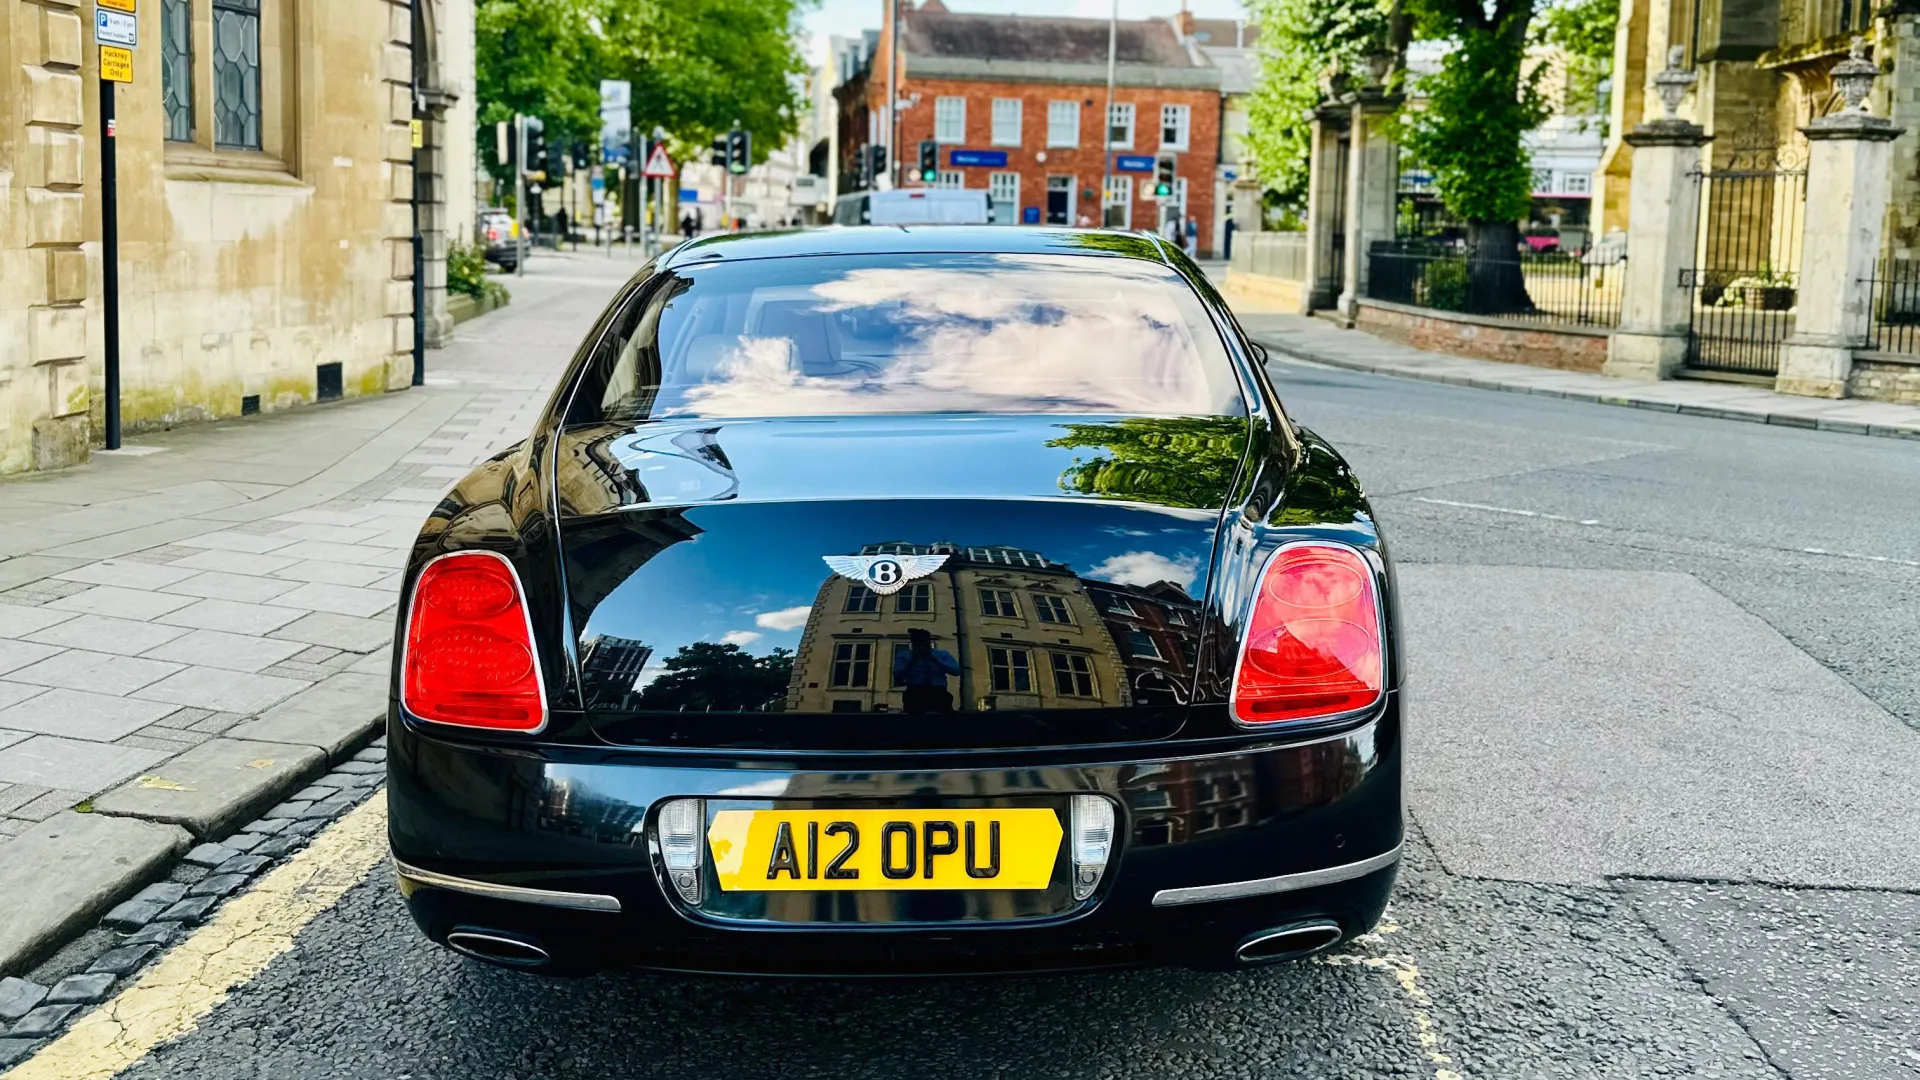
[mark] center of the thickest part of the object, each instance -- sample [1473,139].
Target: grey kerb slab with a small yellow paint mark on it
[216,787]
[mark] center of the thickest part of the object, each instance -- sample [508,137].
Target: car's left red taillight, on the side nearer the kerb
[469,652]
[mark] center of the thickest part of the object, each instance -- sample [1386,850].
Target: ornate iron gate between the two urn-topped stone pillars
[1746,270]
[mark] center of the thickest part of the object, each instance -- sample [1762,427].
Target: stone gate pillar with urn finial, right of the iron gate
[1850,170]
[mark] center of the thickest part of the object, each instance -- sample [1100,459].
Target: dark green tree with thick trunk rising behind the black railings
[1466,126]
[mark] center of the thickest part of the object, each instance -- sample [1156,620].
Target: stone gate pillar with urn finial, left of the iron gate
[1662,235]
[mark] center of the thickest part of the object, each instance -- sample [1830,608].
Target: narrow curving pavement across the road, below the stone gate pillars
[1322,343]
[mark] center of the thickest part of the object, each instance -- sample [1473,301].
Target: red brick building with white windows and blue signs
[1015,107]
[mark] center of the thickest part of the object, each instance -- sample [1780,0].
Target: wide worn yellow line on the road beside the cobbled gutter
[199,973]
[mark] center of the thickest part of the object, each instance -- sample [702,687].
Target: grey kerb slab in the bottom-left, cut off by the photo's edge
[64,873]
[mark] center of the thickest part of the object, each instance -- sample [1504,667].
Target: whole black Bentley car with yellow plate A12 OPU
[901,602]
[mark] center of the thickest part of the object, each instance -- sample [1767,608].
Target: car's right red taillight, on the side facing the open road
[1314,643]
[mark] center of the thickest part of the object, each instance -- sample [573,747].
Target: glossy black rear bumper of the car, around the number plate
[550,847]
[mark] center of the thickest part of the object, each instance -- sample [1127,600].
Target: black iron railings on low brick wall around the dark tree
[1539,287]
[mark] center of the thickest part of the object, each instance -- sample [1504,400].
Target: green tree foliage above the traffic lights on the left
[696,68]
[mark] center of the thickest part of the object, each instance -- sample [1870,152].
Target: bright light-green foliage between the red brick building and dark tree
[1299,43]
